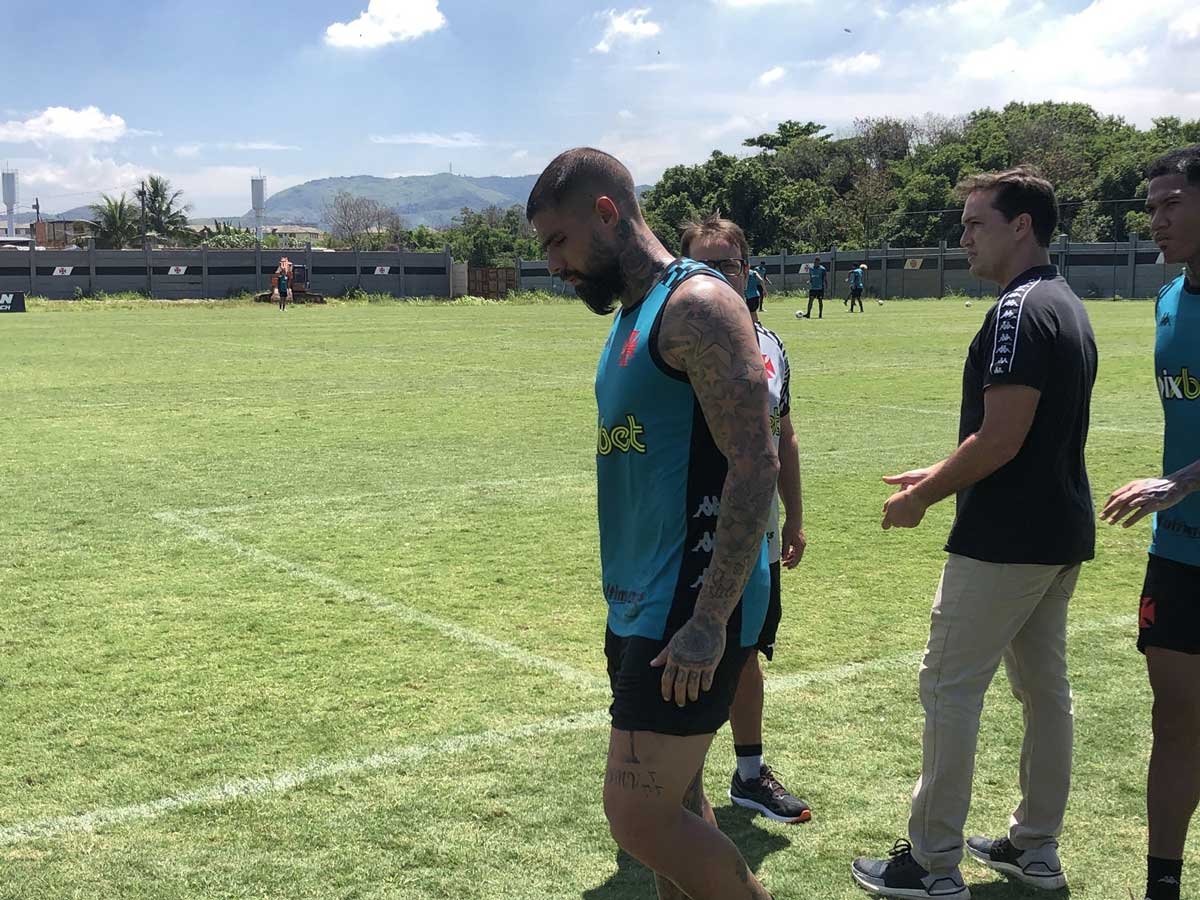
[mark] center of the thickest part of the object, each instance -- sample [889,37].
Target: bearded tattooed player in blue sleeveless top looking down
[686,470]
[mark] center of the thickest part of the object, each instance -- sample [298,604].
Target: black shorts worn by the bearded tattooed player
[638,701]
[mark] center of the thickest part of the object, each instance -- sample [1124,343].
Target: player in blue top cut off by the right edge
[1169,627]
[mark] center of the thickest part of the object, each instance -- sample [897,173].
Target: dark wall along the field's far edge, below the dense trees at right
[1094,271]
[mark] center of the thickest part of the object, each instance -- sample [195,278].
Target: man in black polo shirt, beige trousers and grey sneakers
[1025,524]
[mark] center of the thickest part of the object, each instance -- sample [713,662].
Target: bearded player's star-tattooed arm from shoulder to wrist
[710,335]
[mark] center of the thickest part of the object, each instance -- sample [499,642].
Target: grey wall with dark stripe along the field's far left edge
[201,273]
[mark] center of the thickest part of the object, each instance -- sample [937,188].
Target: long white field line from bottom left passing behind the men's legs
[290,779]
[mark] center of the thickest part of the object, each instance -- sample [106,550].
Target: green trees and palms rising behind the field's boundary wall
[800,189]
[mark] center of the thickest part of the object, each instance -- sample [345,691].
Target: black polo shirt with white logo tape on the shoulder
[1039,507]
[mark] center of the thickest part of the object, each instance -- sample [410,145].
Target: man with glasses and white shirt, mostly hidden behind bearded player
[722,245]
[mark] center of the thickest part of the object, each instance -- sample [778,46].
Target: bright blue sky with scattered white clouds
[211,94]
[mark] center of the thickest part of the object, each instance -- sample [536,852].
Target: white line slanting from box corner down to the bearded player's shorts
[379,602]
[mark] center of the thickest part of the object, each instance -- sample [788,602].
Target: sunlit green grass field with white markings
[307,605]
